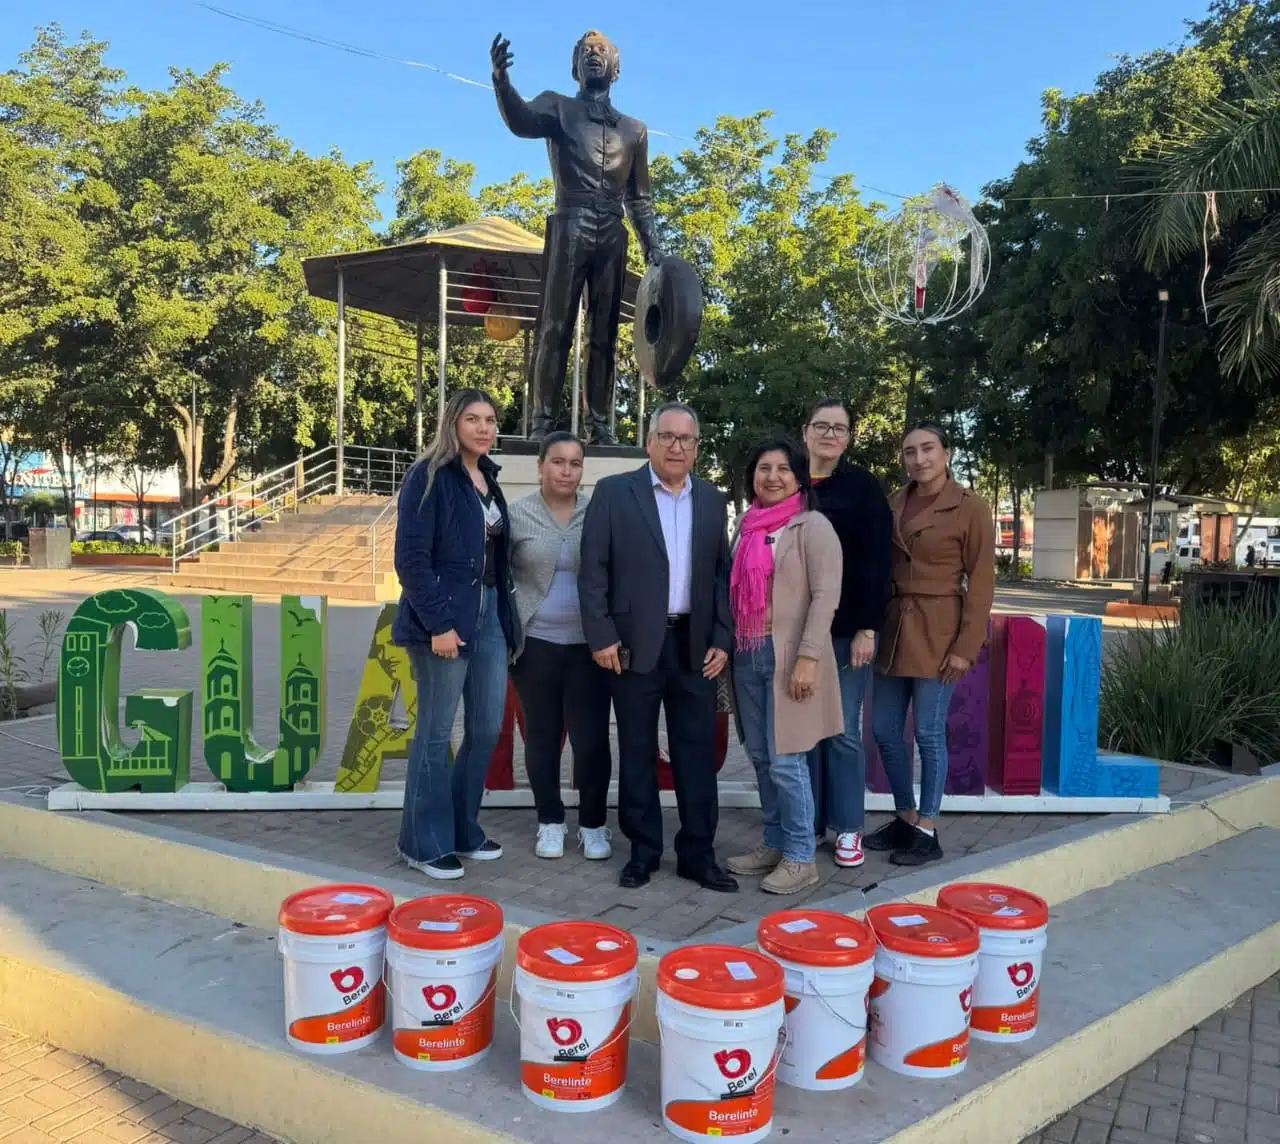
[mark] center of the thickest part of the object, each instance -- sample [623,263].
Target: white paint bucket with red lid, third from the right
[829,964]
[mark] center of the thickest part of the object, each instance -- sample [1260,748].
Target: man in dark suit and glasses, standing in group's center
[655,593]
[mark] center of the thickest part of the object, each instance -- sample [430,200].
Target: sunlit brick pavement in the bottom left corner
[49,1096]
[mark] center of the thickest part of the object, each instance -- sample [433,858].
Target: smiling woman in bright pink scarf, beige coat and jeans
[784,589]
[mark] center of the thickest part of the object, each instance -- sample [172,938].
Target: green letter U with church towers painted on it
[231,751]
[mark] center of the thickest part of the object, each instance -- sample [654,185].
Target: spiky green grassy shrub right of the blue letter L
[1173,690]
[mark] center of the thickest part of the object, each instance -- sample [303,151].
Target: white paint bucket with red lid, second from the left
[442,973]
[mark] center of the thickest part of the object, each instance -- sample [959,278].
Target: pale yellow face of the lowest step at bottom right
[1041,1090]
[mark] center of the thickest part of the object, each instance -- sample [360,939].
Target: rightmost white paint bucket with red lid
[1013,926]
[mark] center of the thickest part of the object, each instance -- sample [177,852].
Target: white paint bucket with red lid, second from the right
[926,963]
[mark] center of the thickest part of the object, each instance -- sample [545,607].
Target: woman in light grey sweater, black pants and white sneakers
[555,675]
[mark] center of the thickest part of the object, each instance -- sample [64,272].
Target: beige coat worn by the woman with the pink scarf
[808,566]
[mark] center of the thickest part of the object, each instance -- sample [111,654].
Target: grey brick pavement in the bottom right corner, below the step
[1217,1084]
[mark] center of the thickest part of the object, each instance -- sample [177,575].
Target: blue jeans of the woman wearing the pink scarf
[787,793]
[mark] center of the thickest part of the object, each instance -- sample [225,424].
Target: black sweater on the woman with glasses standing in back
[857,507]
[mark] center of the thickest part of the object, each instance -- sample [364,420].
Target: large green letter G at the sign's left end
[89,695]
